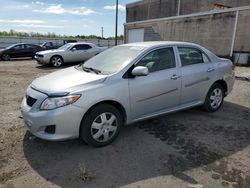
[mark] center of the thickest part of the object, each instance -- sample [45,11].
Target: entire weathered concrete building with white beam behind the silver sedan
[223,26]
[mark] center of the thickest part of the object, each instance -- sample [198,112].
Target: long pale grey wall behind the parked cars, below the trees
[7,41]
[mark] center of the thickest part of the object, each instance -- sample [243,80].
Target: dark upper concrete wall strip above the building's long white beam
[151,9]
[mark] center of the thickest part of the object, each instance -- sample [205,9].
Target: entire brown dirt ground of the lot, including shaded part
[191,148]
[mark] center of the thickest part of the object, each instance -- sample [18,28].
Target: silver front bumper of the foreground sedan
[66,119]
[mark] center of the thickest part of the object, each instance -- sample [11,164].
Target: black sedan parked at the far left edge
[19,50]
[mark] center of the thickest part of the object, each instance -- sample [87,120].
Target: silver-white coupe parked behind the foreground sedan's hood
[71,52]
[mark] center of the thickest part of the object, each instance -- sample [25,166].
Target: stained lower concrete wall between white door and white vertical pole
[211,31]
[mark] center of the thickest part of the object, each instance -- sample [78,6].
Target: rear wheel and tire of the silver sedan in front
[214,98]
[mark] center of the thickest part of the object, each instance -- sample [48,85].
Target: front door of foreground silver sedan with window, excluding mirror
[160,89]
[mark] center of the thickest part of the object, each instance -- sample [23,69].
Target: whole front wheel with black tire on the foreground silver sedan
[101,125]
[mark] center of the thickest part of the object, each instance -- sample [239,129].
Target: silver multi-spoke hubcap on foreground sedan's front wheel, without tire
[104,127]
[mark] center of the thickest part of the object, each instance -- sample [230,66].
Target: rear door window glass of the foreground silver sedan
[190,56]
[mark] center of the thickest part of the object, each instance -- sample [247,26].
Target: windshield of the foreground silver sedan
[114,59]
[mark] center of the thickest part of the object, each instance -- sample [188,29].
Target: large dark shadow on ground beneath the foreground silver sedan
[162,146]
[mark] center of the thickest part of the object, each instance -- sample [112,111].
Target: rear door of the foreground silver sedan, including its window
[197,74]
